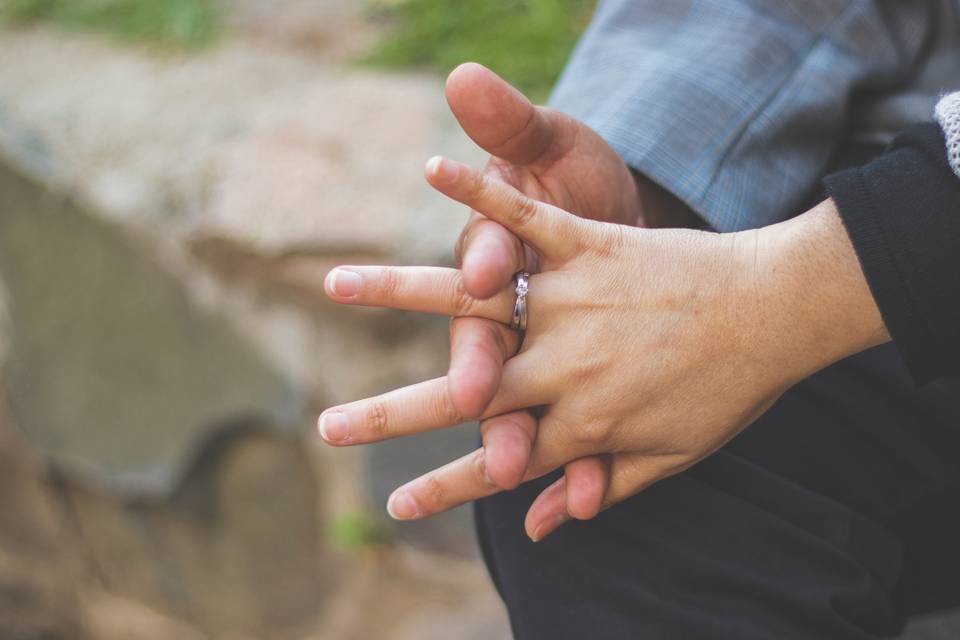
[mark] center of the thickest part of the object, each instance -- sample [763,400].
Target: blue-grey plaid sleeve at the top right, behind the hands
[736,106]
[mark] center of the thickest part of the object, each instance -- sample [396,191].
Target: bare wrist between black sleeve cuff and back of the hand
[815,295]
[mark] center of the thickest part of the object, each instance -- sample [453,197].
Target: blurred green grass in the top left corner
[177,24]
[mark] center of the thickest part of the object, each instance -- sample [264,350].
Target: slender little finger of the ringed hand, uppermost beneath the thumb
[548,230]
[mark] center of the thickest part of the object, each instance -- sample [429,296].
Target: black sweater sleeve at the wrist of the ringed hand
[902,212]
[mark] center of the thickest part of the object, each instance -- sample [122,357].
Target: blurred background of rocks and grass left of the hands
[176,177]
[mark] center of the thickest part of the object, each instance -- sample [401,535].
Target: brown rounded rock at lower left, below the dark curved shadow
[235,550]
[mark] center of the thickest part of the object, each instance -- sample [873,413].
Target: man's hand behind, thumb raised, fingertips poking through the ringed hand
[549,157]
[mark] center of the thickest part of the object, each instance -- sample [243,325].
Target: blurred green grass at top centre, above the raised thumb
[525,41]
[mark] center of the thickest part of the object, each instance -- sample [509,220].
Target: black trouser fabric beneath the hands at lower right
[836,515]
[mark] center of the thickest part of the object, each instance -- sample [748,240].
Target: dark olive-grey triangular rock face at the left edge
[112,367]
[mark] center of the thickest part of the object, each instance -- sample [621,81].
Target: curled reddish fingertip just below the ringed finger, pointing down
[478,349]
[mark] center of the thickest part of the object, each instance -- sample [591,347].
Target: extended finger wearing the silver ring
[428,289]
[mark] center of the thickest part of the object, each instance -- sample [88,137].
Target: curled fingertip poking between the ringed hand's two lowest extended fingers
[507,441]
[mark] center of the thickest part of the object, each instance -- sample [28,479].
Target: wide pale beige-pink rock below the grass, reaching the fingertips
[272,149]
